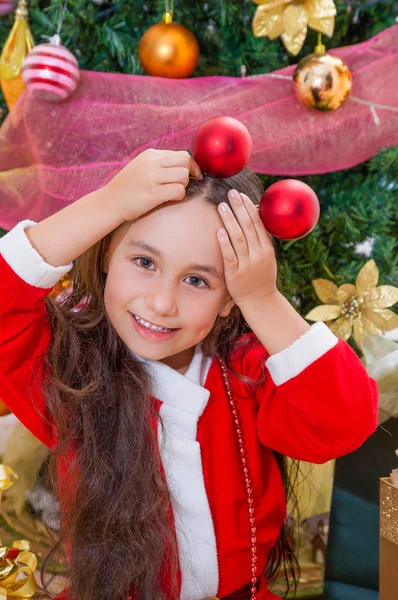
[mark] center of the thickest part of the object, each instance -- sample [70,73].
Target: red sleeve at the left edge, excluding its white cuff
[25,335]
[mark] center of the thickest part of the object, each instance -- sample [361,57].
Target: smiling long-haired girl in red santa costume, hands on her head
[170,398]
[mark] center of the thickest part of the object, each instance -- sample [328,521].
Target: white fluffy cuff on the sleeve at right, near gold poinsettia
[290,362]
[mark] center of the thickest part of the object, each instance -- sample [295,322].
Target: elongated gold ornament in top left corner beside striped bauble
[17,46]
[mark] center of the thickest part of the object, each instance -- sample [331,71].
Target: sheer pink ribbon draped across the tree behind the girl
[52,154]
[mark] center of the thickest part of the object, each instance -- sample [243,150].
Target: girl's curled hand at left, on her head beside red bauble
[151,178]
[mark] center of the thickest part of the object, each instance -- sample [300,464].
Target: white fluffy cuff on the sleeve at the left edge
[27,263]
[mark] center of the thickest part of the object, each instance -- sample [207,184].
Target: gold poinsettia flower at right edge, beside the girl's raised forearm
[359,308]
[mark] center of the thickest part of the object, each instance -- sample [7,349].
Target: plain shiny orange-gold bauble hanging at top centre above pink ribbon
[168,49]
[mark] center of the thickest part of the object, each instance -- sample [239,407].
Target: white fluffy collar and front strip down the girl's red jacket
[184,399]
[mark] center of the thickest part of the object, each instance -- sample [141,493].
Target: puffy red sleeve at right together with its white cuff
[326,410]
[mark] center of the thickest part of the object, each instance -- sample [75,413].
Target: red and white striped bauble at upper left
[51,71]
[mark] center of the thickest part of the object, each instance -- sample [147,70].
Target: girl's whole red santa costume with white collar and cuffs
[317,403]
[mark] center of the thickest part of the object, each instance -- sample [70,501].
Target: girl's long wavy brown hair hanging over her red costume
[116,520]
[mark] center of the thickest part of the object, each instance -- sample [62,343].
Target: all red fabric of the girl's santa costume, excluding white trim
[326,411]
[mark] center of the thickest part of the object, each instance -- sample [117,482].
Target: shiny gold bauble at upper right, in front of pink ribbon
[322,82]
